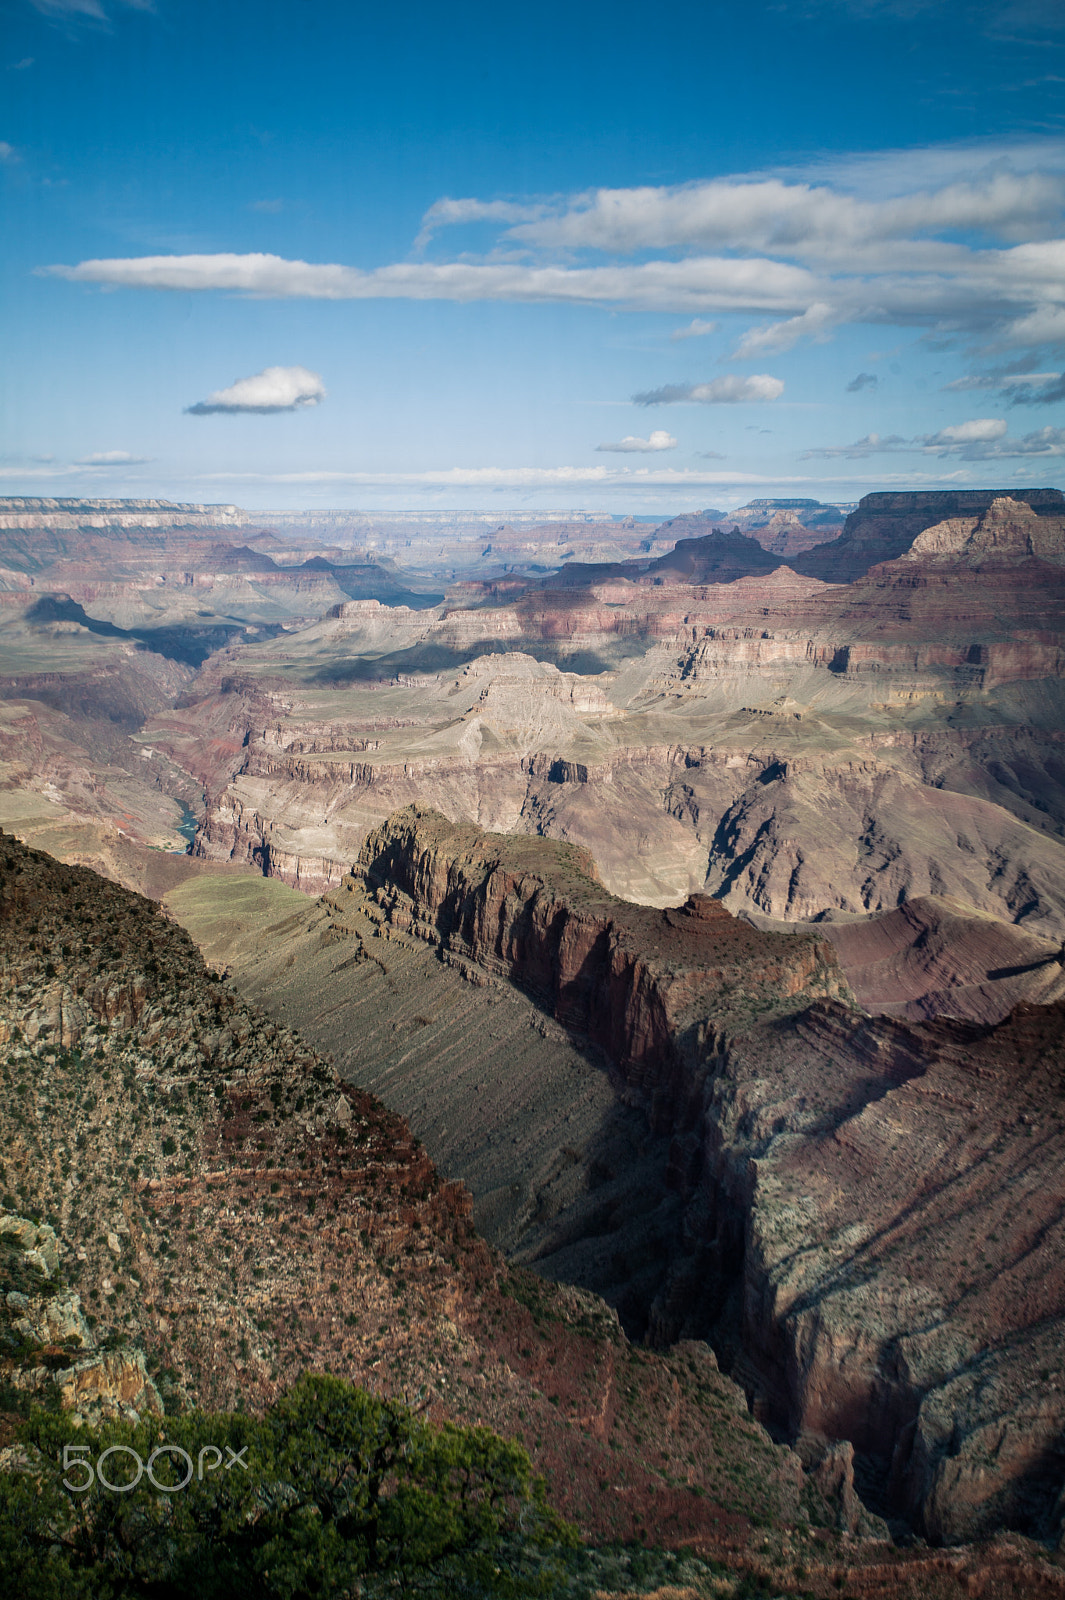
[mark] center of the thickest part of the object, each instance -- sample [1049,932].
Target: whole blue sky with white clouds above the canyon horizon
[565,257]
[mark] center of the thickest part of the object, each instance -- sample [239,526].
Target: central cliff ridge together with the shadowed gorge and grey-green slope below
[920,1324]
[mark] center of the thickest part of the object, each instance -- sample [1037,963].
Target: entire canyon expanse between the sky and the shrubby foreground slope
[698,895]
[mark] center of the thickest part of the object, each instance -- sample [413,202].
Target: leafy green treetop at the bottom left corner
[332,1494]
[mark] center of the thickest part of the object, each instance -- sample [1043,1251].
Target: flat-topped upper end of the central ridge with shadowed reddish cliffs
[647,986]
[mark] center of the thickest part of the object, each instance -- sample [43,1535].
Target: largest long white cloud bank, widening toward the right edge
[959,242]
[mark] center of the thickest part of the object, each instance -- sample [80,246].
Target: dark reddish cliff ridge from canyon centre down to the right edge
[872,1210]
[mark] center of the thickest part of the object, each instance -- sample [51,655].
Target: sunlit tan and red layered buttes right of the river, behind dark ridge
[786,745]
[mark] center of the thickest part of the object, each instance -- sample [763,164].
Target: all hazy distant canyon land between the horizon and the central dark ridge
[871,722]
